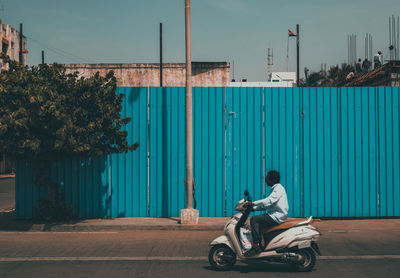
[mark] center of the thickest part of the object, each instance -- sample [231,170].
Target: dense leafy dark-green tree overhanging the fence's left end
[46,114]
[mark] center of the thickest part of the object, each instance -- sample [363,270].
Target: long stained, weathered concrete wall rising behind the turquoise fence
[206,74]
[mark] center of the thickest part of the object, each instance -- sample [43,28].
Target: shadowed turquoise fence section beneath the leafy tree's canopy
[83,183]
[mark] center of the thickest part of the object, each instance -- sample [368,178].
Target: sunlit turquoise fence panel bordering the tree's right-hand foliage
[128,192]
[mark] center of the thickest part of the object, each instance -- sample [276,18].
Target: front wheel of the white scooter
[221,257]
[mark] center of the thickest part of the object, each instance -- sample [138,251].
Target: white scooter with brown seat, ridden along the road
[292,242]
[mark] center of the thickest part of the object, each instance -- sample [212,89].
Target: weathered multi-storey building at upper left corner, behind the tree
[13,44]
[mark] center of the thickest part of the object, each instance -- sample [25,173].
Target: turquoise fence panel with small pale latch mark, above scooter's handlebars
[245,148]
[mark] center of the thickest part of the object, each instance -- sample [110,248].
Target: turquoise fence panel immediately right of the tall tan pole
[209,150]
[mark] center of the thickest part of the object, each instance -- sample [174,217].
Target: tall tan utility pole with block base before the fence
[189,215]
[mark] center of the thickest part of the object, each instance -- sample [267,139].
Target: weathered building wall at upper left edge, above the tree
[9,41]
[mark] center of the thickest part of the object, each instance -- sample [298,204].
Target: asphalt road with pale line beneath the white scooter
[183,254]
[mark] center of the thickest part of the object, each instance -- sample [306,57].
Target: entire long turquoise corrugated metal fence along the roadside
[337,150]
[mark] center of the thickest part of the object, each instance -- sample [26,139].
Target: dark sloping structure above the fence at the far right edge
[387,75]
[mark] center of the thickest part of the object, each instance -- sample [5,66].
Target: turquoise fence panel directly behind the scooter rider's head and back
[283,134]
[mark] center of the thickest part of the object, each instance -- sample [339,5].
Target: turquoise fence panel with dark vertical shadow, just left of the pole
[167,151]
